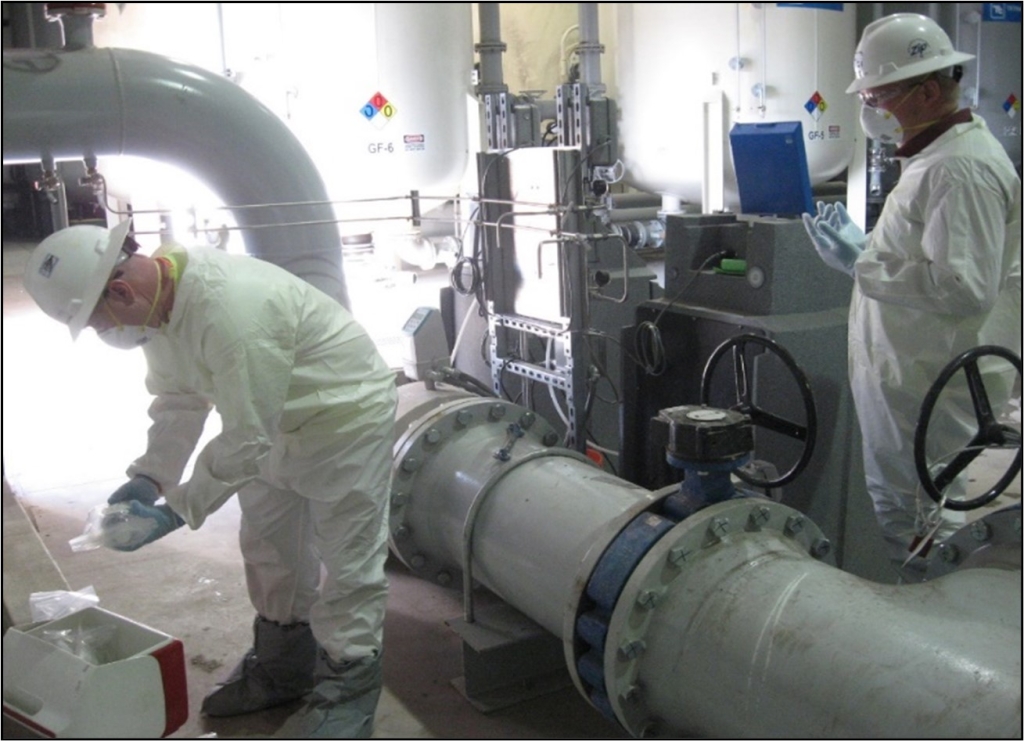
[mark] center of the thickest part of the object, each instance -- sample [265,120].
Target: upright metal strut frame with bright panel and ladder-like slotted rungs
[516,244]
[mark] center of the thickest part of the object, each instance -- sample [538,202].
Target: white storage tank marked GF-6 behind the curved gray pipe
[376,93]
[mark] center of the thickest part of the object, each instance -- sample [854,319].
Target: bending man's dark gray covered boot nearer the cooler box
[277,670]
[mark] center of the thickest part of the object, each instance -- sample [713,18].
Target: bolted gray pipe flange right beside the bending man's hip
[428,437]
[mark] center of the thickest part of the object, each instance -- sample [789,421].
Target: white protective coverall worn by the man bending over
[308,408]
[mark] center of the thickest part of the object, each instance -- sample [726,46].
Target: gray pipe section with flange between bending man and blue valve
[443,431]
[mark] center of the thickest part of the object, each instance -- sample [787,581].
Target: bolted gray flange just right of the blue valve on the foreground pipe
[694,539]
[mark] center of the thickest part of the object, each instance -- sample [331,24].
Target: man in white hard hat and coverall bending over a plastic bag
[308,408]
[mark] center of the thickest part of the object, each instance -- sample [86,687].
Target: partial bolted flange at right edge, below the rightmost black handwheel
[992,541]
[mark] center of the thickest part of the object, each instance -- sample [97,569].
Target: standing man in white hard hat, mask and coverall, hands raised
[940,275]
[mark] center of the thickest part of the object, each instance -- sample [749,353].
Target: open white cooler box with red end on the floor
[95,675]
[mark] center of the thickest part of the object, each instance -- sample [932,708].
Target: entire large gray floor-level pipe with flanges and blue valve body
[728,623]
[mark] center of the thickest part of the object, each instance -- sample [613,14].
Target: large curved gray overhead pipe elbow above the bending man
[99,103]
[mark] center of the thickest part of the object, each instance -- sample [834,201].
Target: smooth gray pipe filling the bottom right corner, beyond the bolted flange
[760,640]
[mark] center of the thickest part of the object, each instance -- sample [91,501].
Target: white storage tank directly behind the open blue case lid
[688,72]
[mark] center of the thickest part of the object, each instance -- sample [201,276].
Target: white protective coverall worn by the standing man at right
[941,276]
